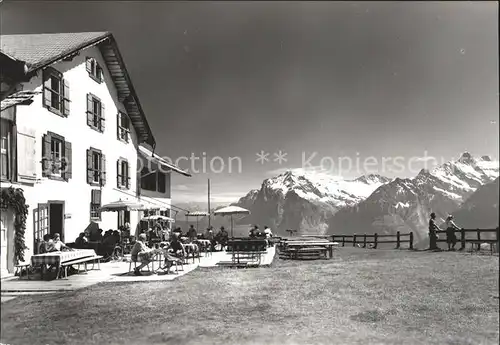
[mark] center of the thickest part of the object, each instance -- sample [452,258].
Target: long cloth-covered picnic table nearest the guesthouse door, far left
[64,258]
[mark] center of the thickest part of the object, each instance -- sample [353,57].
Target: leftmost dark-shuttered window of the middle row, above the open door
[56,157]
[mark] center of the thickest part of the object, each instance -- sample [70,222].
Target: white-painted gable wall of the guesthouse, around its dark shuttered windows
[76,192]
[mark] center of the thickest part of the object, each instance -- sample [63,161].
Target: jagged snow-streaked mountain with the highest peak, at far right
[405,204]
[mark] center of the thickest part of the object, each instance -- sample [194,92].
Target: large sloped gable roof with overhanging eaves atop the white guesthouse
[40,50]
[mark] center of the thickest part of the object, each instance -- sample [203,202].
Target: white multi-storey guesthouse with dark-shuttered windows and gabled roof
[71,128]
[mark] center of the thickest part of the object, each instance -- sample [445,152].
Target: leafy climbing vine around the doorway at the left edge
[13,198]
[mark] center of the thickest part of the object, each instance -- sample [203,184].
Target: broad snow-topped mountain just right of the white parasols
[305,200]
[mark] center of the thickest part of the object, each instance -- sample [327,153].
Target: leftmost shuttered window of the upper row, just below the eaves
[55,92]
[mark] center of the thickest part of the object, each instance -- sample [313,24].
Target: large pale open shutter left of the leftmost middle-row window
[26,153]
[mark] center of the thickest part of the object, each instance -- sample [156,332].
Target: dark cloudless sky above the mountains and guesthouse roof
[233,78]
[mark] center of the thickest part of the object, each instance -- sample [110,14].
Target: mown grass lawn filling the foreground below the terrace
[358,297]
